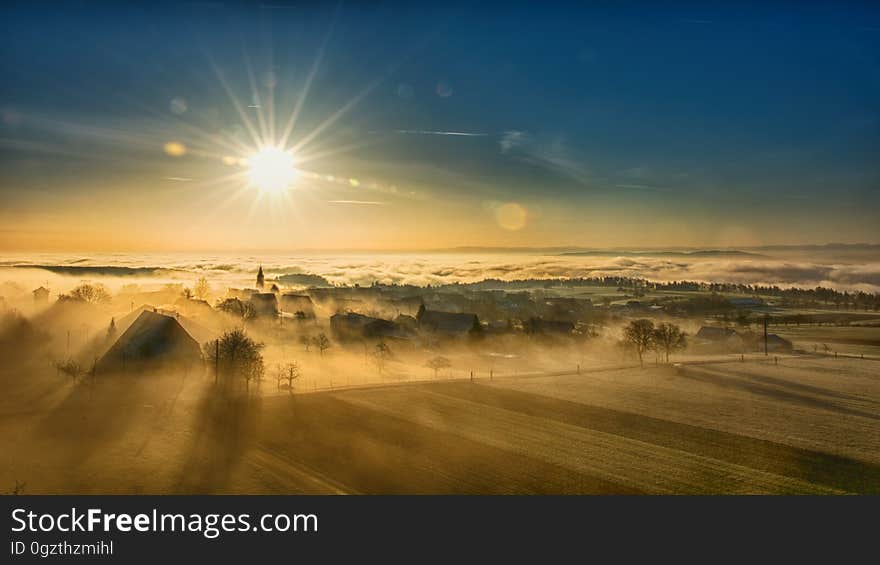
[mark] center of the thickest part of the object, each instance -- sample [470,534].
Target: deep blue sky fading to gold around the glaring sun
[758,121]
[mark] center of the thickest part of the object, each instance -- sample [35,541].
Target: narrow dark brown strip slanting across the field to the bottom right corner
[836,471]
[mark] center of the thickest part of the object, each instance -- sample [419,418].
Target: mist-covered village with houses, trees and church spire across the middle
[87,334]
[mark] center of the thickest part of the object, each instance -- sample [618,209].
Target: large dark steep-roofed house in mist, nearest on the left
[152,341]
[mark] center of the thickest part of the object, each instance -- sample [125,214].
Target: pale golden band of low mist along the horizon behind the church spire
[846,268]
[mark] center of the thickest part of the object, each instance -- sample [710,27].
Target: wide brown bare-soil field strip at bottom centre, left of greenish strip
[368,451]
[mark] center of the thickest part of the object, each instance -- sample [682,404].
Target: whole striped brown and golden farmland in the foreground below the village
[809,424]
